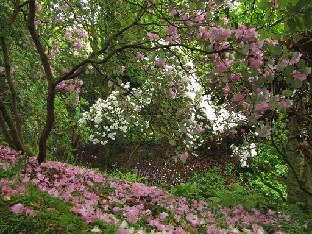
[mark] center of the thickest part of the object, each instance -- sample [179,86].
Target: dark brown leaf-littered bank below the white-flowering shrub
[155,162]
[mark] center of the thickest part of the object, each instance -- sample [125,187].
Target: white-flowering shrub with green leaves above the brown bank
[160,108]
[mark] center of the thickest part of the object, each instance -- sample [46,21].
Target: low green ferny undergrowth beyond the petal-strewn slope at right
[225,189]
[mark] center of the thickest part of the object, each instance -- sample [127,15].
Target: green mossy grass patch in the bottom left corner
[58,218]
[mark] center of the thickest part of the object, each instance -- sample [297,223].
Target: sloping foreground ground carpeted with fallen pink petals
[131,207]
